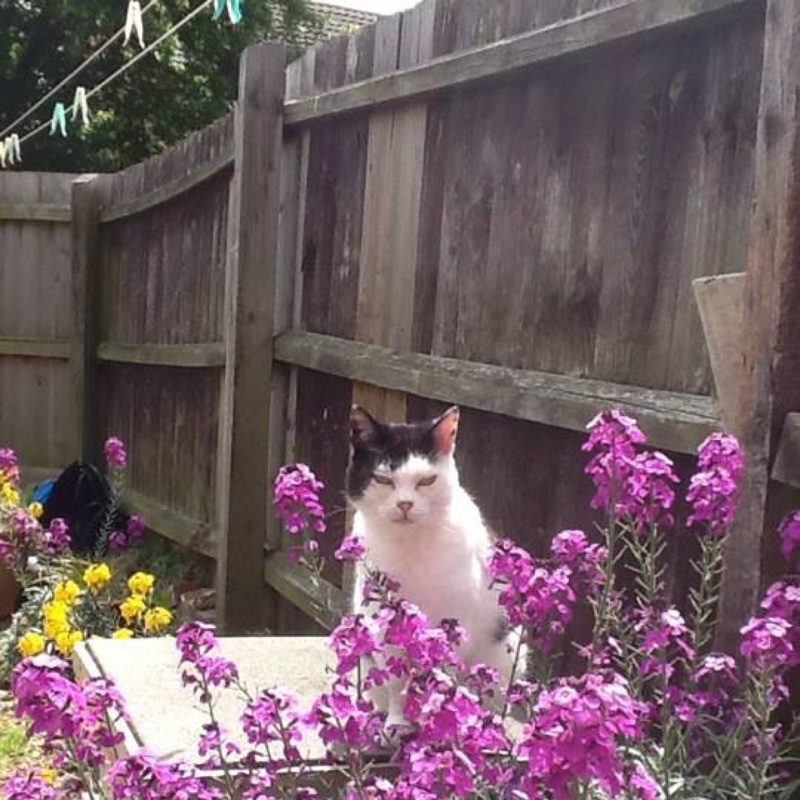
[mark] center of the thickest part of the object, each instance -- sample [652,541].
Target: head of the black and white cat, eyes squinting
[402,475]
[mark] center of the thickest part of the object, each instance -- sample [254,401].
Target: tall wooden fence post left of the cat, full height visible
[242,486]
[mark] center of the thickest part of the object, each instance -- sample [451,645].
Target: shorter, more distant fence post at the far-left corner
[85,298]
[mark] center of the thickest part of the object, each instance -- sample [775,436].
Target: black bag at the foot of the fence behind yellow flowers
[81,496]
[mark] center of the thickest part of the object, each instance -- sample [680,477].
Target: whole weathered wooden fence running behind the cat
[501,204]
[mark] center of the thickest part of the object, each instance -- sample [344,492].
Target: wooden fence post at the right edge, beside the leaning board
[770,385]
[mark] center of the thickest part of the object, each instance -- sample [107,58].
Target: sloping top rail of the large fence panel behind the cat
[632,21]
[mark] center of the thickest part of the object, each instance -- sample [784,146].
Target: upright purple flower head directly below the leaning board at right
[714,489]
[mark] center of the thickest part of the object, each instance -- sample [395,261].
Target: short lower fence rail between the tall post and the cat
[317,598]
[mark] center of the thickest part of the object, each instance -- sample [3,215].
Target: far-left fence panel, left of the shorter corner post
[36,400]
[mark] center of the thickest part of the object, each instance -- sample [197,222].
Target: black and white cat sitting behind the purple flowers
[421,528]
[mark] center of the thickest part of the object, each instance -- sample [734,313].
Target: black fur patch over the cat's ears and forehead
[376,443]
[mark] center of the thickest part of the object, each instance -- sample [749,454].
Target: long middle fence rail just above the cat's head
[675,421]
